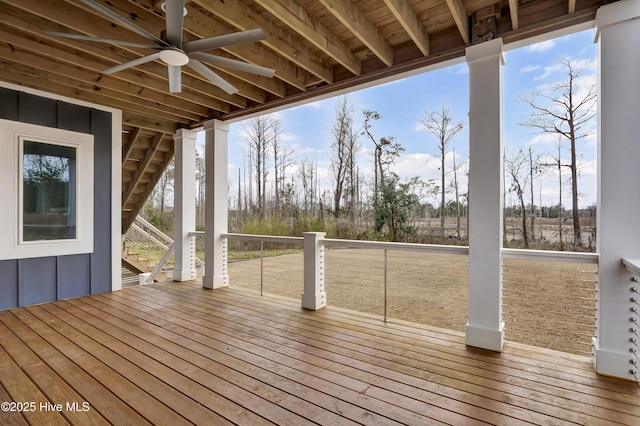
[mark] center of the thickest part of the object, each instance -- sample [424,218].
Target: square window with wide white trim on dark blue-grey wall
[47,175]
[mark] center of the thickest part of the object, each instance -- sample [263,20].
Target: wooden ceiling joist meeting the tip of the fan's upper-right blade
[237,14]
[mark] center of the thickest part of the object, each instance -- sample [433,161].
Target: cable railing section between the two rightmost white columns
[550,299]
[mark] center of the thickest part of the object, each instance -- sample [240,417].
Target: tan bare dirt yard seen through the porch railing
[546,304]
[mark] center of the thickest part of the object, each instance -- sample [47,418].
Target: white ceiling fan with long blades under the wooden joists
[175,52]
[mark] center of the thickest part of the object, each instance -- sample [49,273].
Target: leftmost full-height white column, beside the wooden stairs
[184,204]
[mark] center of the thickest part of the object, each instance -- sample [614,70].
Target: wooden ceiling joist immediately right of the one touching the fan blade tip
[299,21]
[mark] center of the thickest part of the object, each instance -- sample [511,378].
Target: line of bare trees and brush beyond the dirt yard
[278,192]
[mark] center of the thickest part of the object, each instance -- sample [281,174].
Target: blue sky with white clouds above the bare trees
[306,129]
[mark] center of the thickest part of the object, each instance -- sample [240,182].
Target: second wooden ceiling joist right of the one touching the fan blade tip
[351,17]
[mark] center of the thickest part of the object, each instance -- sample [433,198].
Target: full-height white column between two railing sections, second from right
[485,328]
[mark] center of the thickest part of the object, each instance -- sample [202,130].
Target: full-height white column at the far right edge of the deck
[618,38]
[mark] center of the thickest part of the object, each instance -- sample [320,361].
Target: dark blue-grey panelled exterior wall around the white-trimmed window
[37,280]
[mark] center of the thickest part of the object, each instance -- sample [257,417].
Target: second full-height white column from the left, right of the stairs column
[216,208]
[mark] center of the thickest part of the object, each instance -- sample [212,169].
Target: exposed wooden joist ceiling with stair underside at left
[316,47]
